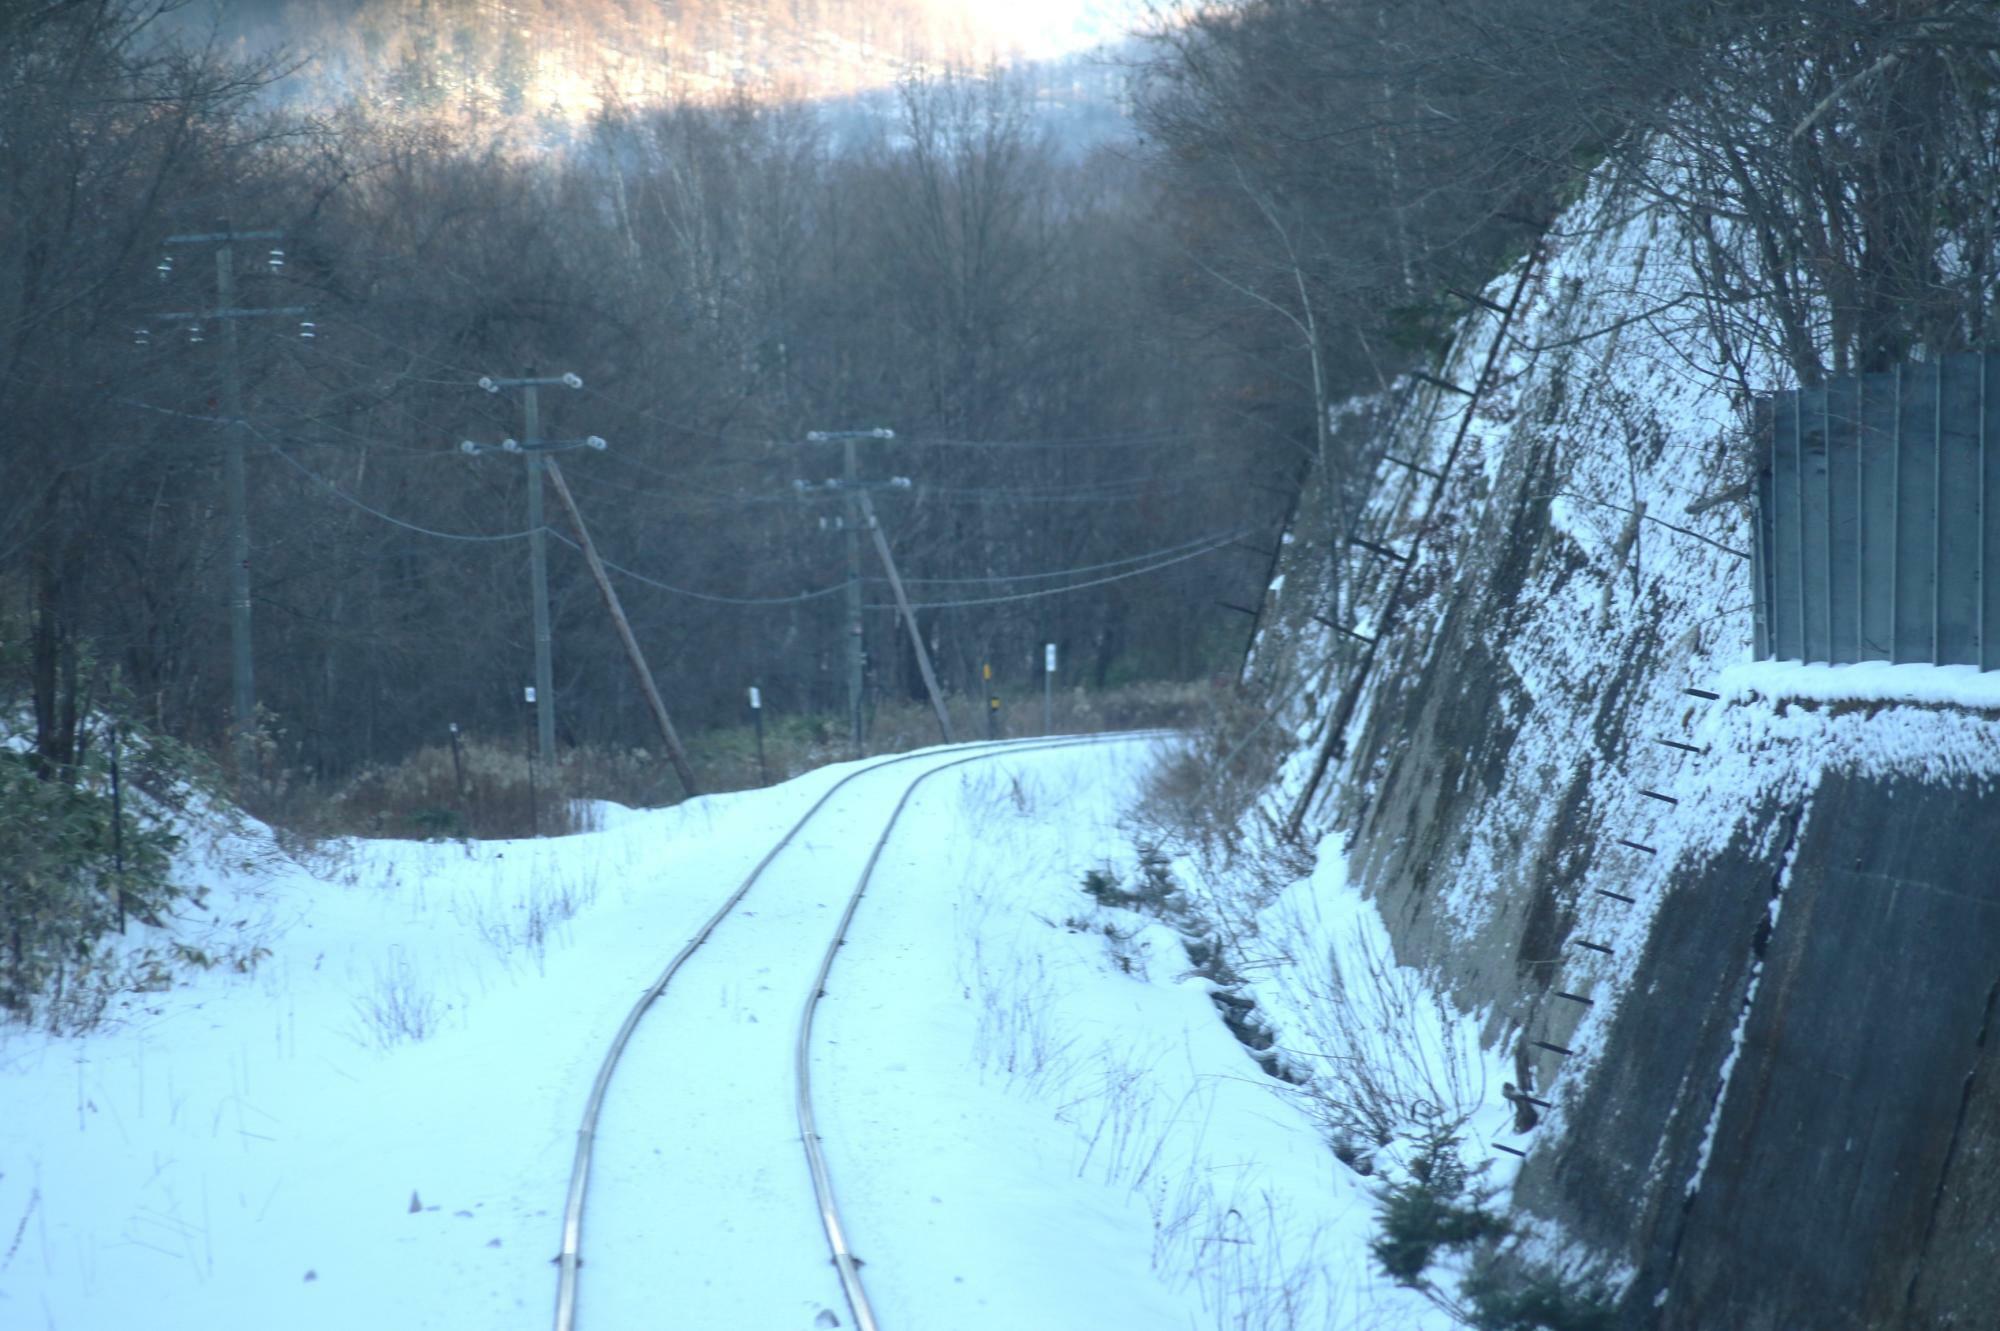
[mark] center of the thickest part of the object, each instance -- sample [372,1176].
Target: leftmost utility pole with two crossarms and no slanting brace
[235,485]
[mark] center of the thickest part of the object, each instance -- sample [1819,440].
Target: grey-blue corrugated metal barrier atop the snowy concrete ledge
[1879,519]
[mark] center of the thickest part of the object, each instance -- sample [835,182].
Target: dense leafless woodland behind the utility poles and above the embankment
[1097,363]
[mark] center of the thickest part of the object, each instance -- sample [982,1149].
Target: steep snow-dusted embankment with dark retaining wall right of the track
[1745,948]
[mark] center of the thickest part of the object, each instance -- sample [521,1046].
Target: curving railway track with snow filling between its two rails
[691,1076]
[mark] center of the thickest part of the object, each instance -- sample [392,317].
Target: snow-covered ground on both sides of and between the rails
[1031,1108]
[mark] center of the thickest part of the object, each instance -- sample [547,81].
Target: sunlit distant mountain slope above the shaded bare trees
[559,61]
